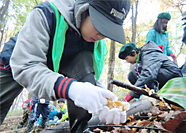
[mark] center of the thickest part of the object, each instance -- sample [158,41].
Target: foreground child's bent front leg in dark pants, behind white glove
[80,68]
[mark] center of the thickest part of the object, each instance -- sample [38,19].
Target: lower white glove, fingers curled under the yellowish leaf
[114,115]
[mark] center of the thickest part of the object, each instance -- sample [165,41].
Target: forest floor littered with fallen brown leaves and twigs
[159,119]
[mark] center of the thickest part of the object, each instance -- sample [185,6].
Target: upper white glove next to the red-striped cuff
[89,97]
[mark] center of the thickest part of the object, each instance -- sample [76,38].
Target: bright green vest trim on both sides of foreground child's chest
[100,49]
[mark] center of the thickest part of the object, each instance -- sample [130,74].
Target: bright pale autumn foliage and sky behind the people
[18,11]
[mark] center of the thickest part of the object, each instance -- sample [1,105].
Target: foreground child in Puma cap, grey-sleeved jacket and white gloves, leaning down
[59,53]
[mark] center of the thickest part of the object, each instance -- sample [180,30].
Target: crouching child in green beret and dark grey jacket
[151,66]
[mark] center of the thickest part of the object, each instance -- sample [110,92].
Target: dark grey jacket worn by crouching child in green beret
[154,61]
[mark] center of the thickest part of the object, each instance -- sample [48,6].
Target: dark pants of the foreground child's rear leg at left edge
[9,90]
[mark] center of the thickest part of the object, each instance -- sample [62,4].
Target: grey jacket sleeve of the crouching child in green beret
[151,64]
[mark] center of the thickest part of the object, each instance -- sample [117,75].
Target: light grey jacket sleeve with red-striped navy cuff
[29,59]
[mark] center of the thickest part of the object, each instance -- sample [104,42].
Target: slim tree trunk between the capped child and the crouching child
[111,65]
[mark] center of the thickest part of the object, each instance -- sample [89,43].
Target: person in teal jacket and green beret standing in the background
[158,34]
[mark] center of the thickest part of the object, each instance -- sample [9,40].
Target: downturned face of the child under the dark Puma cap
[89,33]
